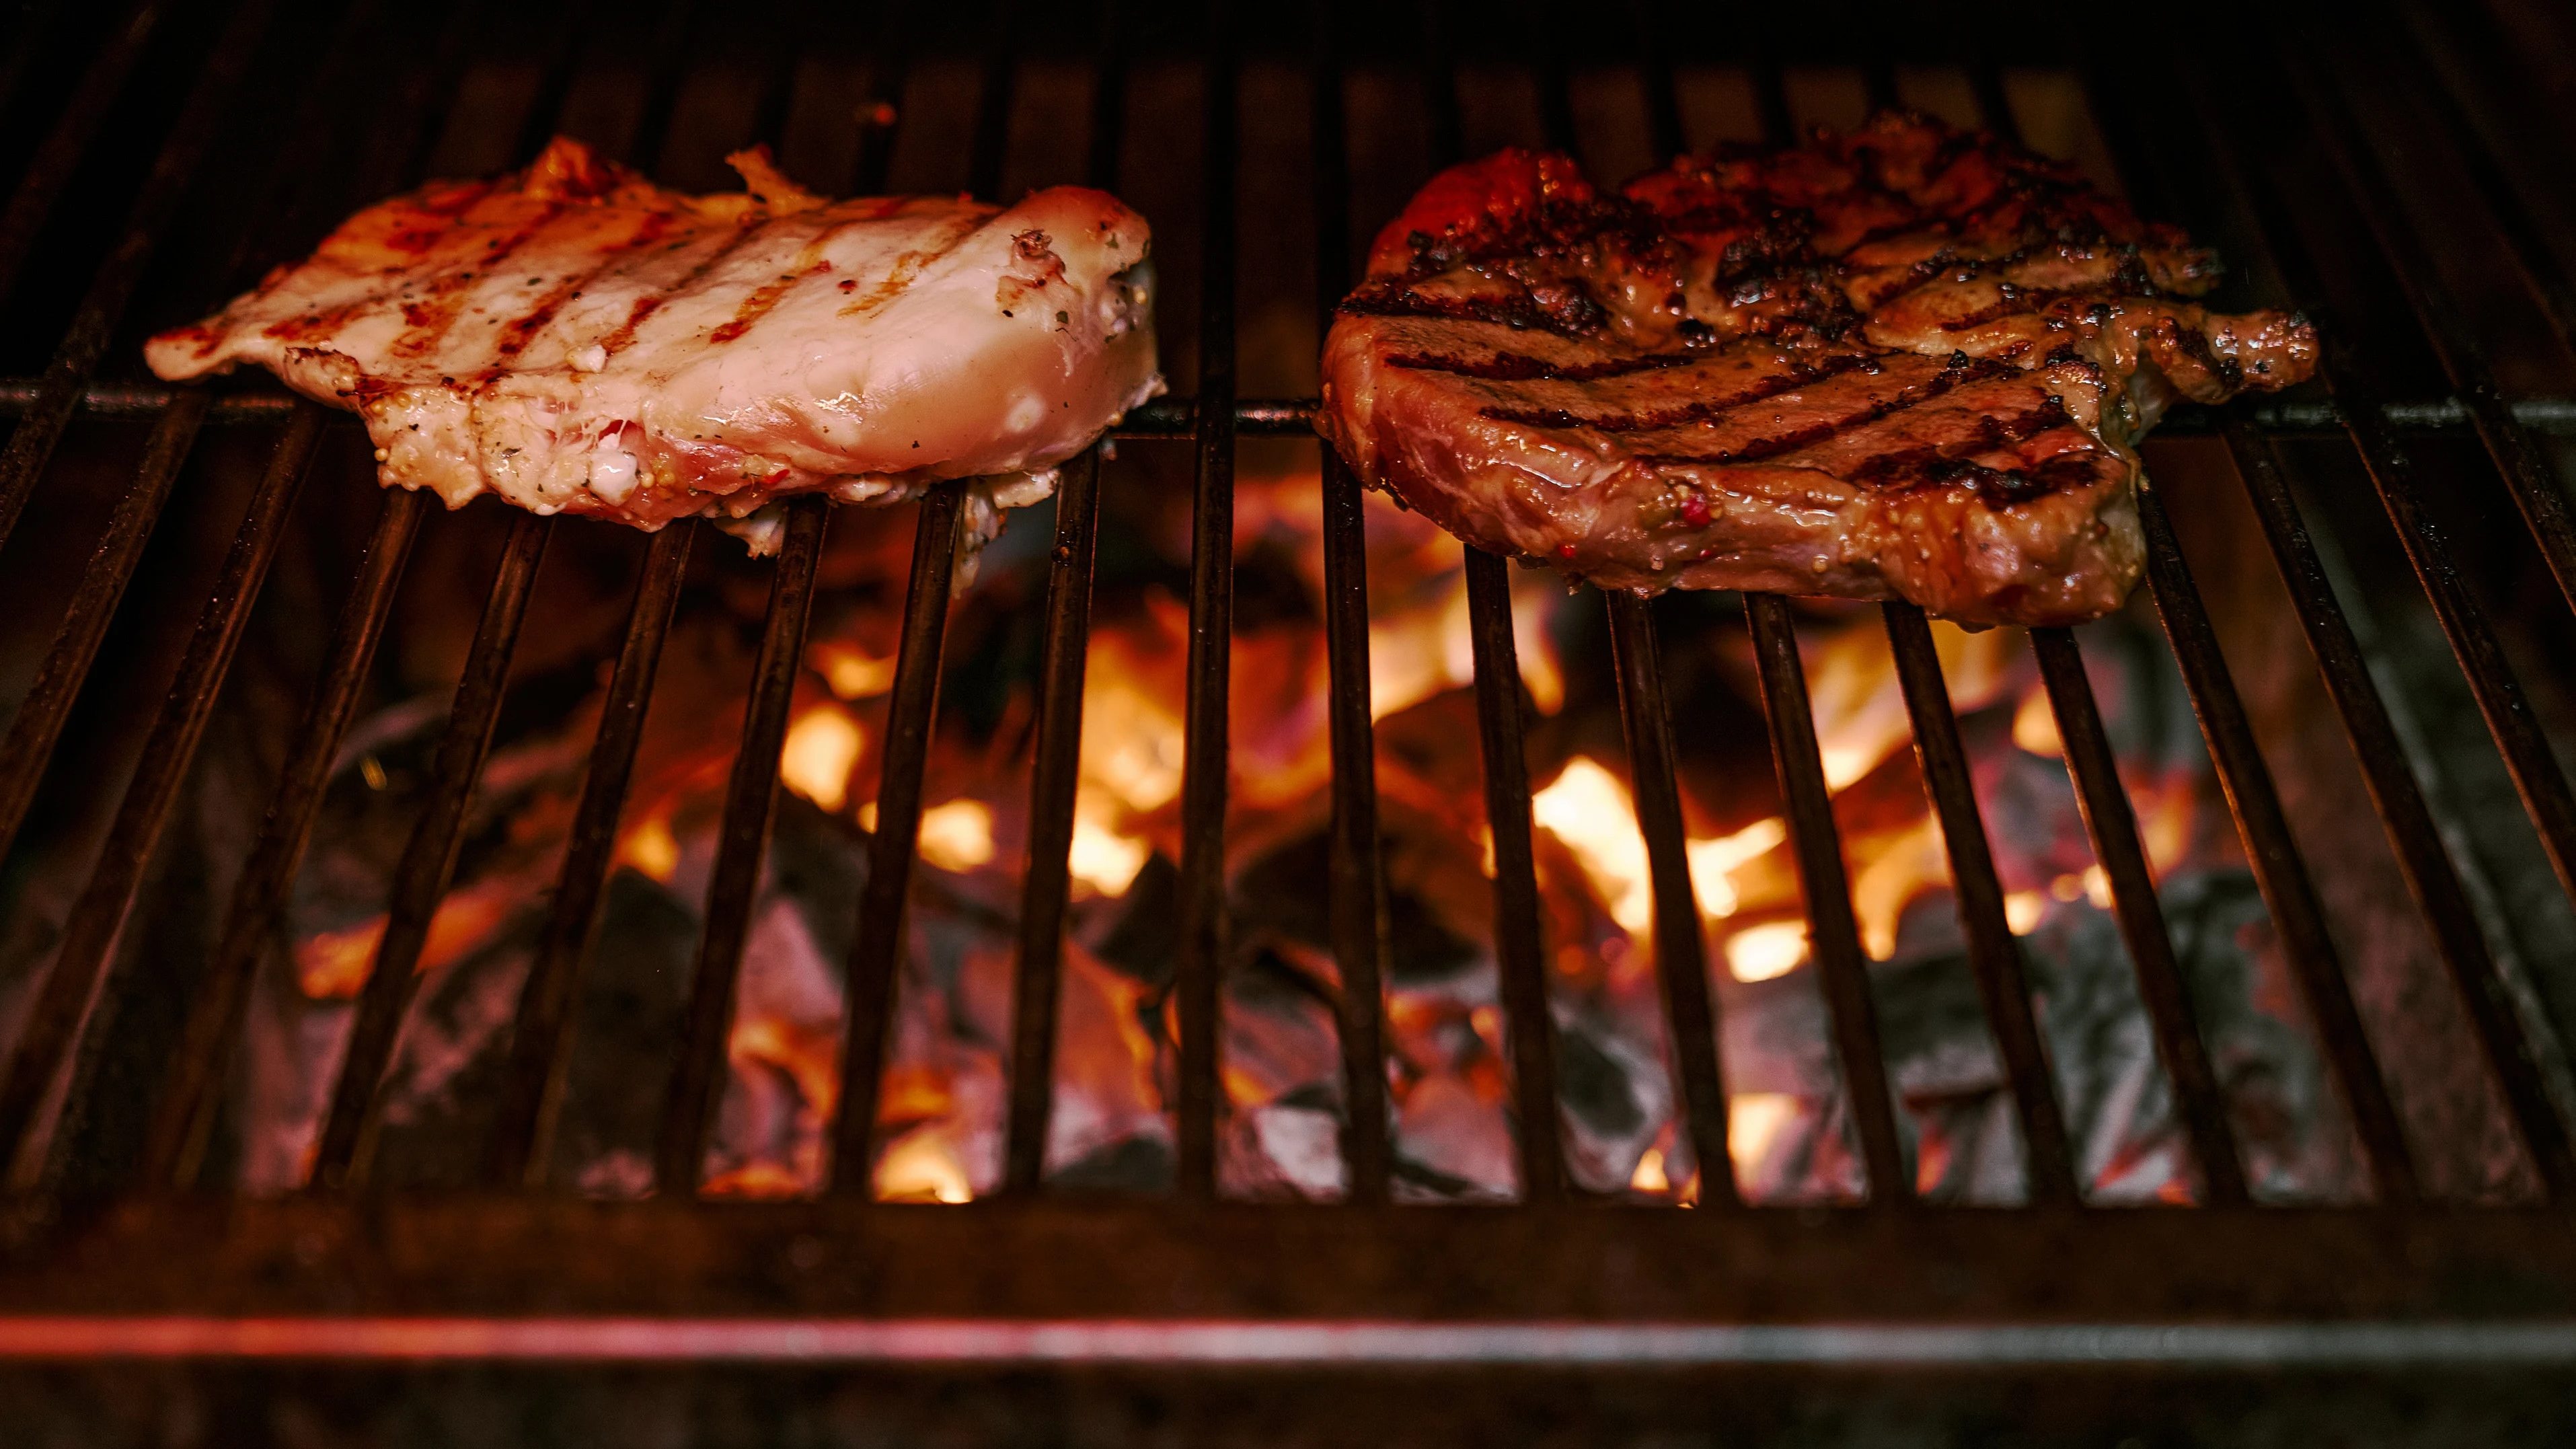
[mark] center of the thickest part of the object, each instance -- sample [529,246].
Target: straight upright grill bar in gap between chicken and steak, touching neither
[1197,986]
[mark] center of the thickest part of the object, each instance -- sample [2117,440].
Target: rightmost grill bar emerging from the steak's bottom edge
[2114,829]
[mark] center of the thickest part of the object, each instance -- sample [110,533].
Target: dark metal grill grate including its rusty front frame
[1197,1259]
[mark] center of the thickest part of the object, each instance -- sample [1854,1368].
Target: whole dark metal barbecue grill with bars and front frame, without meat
[171,151]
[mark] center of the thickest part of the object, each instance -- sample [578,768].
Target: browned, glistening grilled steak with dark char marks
[1910,362]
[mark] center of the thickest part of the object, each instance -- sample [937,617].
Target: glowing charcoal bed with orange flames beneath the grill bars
[944,1089]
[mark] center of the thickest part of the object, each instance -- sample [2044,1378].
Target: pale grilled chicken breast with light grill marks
[583,342]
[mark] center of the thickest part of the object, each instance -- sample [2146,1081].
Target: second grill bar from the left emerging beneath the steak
[1519,945]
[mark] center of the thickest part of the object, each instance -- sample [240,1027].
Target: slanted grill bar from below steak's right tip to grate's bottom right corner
[2412,831]
